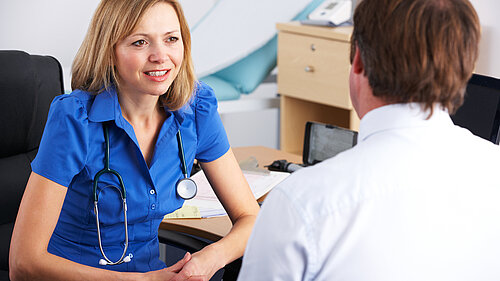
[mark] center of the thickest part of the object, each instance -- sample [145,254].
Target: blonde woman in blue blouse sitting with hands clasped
[116,152]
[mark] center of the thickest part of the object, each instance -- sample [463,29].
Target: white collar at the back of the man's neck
[397,116]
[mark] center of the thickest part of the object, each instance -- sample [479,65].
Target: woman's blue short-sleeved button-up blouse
[72,152]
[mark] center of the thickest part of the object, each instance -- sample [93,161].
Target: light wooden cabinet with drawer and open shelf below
[313,80]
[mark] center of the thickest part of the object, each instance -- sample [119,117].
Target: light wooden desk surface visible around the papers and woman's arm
[217,227]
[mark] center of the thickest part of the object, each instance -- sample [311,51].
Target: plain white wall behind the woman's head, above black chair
[57,27]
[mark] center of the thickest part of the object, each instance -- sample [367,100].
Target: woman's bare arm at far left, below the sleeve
[37,217]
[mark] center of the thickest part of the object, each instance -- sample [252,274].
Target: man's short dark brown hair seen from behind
[417,50]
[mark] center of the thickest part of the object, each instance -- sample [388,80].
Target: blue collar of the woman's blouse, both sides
[108,99]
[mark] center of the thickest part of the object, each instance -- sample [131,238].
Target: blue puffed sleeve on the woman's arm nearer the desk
[212,138]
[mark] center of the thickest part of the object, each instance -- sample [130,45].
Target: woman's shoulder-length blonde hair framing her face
[93,68]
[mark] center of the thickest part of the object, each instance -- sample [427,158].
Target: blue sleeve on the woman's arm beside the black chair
[64,144]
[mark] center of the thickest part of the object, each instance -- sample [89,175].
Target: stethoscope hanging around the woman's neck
[186,189]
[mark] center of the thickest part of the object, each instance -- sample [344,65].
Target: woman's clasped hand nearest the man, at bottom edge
[203,263]
